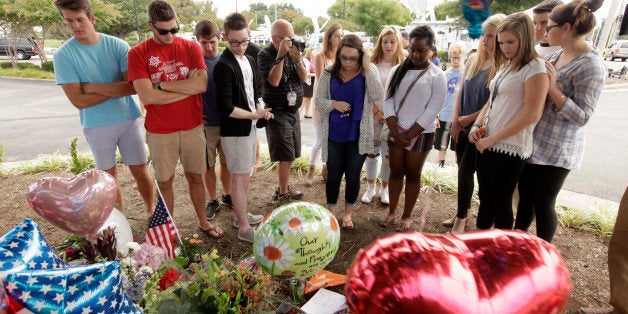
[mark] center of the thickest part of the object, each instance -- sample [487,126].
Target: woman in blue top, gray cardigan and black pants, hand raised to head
[344,96]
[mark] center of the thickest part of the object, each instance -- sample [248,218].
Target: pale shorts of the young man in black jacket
[240,152]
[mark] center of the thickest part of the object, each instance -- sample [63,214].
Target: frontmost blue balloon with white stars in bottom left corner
[95,288]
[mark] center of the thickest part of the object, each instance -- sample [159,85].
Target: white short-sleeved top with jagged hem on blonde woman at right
[508,105]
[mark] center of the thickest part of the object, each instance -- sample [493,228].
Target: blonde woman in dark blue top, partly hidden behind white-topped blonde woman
[473,95]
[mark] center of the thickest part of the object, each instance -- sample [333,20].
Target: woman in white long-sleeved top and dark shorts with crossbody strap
[415,93]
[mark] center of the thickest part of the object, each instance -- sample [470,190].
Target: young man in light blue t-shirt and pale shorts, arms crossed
[91,68]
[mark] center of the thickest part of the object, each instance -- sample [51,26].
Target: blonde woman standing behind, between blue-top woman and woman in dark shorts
[387,53]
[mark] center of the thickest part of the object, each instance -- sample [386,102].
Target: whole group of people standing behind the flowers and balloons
[516,112]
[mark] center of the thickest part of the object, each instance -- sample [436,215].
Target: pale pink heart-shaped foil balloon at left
[79,205]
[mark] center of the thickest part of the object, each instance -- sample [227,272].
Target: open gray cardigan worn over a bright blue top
[374,92]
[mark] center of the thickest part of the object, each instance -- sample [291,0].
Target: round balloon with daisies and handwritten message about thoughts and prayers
[296,240]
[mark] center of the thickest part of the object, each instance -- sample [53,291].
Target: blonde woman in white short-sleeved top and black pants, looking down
[518,90]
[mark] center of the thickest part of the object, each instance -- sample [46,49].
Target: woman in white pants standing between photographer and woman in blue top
[331,40]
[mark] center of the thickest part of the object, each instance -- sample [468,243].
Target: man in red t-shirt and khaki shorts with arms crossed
[169,75]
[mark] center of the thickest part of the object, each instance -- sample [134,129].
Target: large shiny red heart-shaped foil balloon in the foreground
[491,271]
